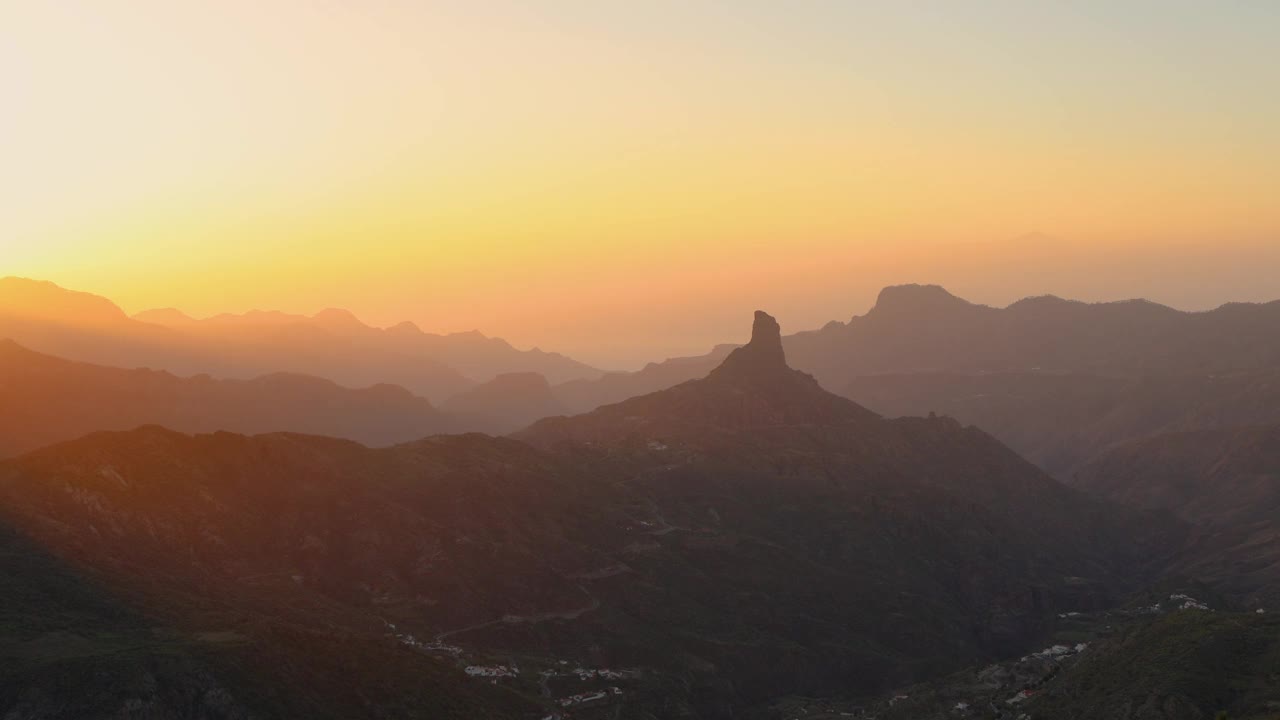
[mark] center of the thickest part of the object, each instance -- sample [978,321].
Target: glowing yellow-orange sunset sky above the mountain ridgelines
[628,181]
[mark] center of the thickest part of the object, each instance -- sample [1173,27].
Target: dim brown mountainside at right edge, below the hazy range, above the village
[1224,482]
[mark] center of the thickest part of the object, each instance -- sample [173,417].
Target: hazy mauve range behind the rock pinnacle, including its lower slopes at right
[1059,381]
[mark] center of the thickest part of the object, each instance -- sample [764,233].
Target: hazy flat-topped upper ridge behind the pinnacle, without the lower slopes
[925,330]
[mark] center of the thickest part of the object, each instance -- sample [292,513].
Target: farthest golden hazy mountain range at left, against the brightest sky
[332,345]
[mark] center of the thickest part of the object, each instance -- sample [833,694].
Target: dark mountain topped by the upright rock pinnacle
[761,449]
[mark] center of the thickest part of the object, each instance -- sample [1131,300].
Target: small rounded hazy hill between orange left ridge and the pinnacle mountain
[505,404]
